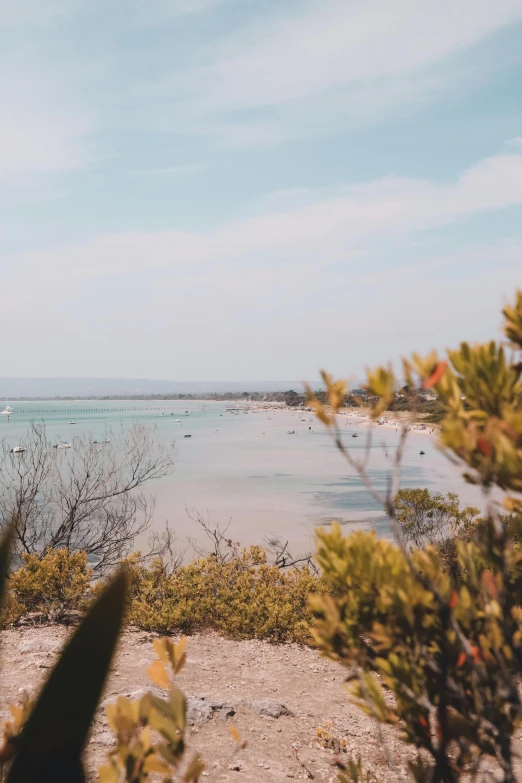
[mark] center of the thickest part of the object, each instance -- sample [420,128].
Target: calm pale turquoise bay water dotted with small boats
[247,469]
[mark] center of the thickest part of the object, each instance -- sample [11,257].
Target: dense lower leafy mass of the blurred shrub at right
[437,645]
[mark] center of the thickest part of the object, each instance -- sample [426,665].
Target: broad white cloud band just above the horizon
[235,321]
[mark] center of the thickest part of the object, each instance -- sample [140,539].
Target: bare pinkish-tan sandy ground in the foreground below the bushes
[249,678]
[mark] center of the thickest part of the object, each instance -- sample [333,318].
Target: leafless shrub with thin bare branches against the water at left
[89,497]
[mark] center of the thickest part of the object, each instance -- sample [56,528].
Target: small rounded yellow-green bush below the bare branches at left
[53,584]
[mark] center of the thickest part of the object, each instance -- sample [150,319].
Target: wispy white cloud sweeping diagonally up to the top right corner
[328,65]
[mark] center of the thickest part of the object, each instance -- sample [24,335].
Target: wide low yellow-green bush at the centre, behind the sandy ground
[243,598]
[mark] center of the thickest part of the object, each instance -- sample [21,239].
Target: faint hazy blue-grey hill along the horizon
[11,388]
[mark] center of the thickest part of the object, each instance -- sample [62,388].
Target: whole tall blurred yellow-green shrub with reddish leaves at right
[445,644]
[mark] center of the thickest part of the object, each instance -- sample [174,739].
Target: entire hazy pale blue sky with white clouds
[252,189]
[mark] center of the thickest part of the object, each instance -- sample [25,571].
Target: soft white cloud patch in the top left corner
[45,122]
